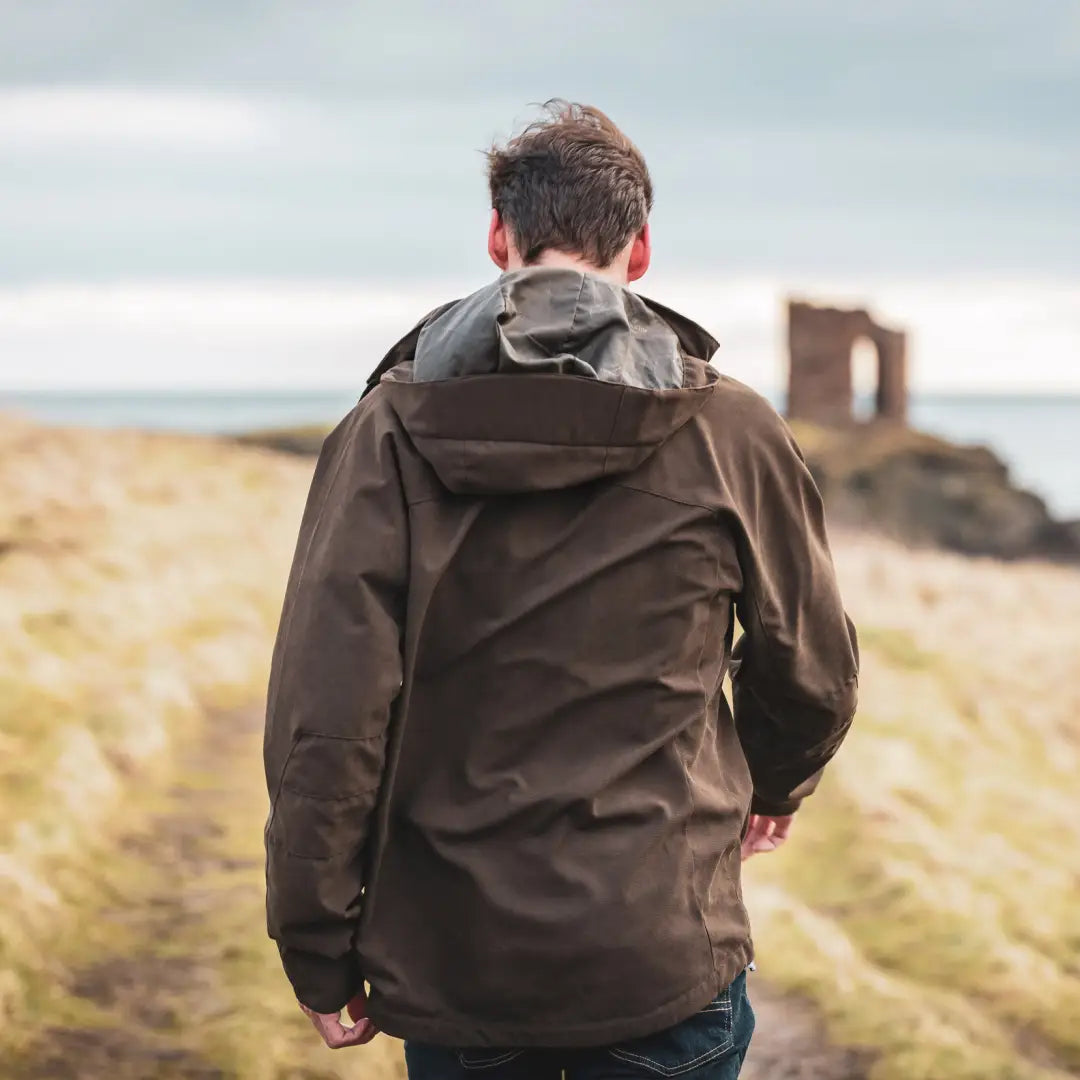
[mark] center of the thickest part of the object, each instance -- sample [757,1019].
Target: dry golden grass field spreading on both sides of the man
[926,903]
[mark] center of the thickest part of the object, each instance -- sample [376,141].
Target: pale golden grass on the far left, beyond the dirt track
[141,579]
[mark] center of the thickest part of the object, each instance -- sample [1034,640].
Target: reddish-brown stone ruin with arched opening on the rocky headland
[821,388]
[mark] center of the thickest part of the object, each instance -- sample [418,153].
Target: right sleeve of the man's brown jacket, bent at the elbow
[796,667]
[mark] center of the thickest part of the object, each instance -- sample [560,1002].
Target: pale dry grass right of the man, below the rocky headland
[927,899]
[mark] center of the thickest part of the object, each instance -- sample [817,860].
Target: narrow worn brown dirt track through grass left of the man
[143,1005]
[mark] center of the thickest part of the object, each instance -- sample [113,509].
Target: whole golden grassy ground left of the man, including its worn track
[142,582]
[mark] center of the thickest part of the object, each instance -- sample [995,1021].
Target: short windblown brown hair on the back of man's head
[571,182]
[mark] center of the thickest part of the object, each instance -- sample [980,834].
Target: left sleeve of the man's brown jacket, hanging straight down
[335,676]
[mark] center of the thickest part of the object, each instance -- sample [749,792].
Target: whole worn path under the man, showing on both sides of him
[179,981]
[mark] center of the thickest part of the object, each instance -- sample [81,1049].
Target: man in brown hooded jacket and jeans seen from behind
[508,792]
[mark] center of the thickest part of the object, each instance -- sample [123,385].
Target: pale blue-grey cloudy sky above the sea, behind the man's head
[269,194]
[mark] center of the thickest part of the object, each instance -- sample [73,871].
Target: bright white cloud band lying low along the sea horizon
[968,334]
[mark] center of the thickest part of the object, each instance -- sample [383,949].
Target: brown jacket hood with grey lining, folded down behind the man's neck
[546,380]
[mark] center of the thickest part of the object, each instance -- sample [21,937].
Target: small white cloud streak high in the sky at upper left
[93,116]
